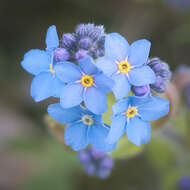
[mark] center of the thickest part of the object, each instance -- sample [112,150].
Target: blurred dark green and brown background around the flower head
[30,157]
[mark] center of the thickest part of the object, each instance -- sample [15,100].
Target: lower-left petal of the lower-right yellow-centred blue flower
[117,129]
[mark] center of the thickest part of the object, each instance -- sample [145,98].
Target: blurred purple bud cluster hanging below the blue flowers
[95,162]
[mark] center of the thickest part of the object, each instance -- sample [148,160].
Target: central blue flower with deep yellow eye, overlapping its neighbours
[84,83]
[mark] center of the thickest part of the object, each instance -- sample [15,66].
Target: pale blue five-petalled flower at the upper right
[126,64]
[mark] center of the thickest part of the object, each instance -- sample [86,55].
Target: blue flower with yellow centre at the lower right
[132,115]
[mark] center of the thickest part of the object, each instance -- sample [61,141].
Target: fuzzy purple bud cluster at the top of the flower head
[86,40]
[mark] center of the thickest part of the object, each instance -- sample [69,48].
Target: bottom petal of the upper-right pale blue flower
[121,87]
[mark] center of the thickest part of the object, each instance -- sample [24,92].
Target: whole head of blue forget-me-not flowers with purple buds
[81,69]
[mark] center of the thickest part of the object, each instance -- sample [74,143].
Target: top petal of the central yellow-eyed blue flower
[87,66]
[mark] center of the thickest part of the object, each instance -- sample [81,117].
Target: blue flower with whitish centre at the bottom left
[83,127]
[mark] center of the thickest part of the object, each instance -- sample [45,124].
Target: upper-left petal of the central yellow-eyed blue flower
[67,72]
